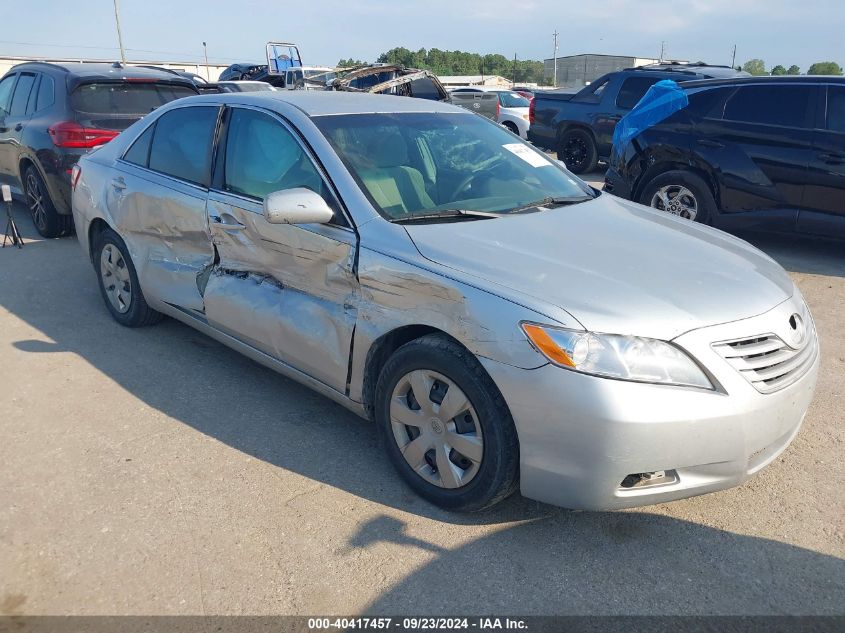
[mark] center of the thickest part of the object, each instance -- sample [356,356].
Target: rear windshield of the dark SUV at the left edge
[125,98]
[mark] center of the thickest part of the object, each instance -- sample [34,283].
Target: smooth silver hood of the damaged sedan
[615,266]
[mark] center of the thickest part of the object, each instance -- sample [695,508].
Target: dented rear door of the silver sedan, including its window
[158,199]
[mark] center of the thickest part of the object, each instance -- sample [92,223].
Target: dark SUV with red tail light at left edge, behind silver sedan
[51,114]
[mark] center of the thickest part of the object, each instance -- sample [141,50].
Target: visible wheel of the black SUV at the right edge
[680,193]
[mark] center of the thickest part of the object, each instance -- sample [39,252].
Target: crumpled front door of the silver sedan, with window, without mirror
[287,290]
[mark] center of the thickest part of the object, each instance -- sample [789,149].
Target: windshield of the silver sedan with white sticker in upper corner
[420,163]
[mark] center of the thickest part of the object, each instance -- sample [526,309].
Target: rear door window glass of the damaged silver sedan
[181,145]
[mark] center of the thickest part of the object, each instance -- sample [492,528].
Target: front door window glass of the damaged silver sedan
[262,156]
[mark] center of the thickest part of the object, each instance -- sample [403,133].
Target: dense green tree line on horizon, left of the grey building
[460,63]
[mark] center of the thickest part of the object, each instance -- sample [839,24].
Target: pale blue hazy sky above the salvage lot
[778,31]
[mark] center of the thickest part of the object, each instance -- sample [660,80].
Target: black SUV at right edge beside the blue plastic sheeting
[758,153]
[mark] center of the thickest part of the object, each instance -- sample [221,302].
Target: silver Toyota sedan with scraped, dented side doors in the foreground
[504,324]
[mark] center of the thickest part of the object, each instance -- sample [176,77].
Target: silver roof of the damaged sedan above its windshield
[329,102]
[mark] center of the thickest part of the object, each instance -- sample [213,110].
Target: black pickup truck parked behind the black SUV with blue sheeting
[579,125]
